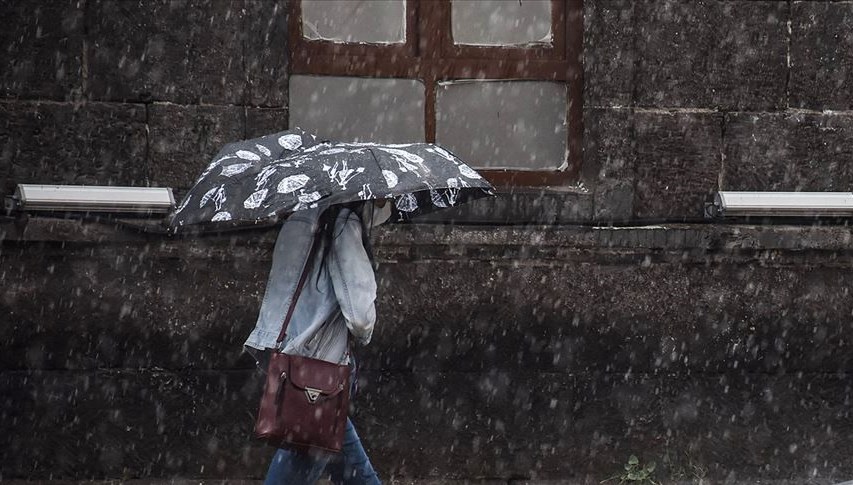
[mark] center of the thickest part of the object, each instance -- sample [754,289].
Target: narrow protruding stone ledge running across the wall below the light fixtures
[668,237]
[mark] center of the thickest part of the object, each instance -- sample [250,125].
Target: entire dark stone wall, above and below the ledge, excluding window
[514,352]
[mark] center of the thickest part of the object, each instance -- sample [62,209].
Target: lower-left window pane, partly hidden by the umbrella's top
[358,109]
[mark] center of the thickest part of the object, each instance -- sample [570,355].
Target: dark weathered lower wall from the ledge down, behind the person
[501,352]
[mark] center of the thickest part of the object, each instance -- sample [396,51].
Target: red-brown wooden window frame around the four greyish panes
[435,58]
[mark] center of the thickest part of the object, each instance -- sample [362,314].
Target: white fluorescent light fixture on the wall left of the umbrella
[93,198]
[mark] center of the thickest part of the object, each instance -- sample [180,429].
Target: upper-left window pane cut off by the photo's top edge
[357,21]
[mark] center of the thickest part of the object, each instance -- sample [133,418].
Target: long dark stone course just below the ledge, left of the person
[131,306]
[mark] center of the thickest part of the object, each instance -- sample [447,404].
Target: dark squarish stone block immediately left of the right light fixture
[677,163]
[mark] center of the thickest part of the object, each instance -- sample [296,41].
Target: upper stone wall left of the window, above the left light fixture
[136,93]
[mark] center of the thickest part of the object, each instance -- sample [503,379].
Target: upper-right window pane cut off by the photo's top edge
[501,22]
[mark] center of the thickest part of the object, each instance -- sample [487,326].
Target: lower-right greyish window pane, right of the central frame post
[504,124]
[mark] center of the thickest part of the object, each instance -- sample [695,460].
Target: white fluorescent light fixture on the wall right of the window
[781,204]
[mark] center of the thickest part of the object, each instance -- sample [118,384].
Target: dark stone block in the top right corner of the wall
[821,55]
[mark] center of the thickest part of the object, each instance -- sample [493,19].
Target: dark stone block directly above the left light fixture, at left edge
[58,143]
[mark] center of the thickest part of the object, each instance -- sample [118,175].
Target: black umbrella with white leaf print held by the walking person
[263,180]
